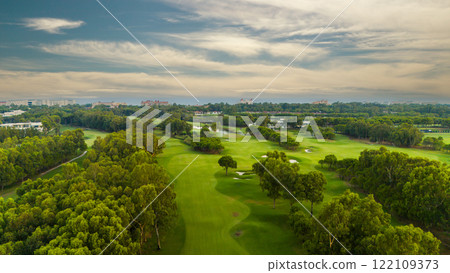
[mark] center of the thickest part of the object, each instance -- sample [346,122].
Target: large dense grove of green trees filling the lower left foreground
[83,209]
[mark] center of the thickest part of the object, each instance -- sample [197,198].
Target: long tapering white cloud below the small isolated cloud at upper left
[132,54]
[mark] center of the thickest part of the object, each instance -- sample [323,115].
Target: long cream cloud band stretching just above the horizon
[363,82]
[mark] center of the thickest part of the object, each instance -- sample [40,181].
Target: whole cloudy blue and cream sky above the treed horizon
[374,50]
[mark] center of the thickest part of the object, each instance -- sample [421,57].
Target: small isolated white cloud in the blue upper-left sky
[51,25]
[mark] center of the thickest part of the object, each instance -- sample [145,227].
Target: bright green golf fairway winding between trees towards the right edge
[221,214]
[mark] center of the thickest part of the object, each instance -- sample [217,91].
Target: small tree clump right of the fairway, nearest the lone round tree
[289,180]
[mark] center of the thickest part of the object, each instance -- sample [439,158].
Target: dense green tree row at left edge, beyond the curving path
[34,155]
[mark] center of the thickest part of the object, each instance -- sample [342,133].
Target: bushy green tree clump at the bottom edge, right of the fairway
[362,227]
